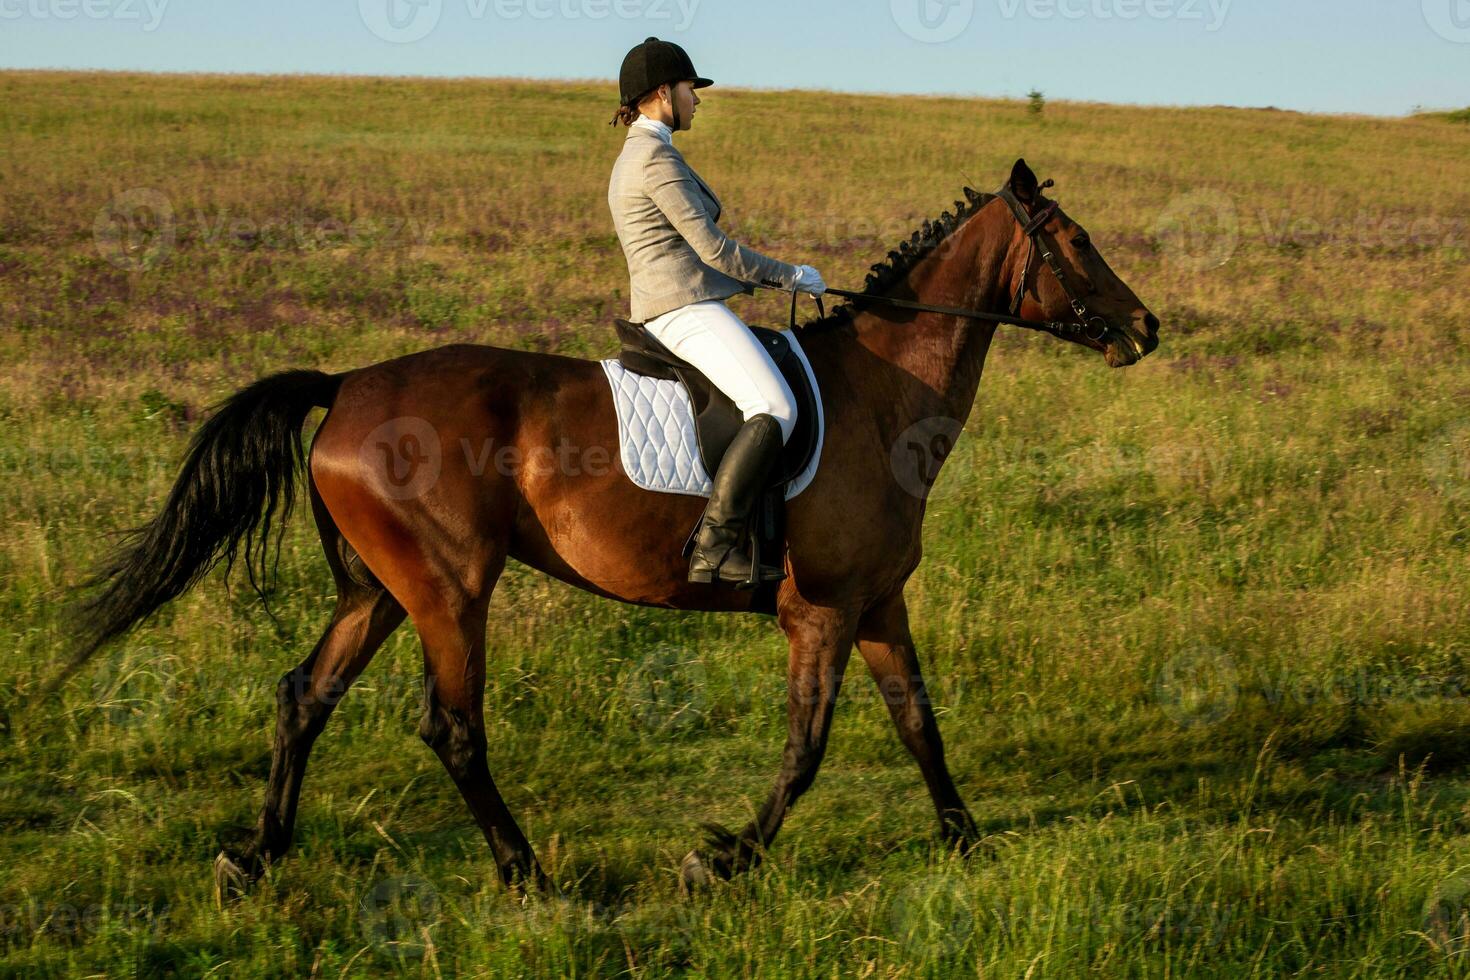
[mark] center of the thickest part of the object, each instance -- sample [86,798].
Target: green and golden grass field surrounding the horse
[1199,630]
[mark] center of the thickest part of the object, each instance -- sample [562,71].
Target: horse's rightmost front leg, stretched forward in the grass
[887,646]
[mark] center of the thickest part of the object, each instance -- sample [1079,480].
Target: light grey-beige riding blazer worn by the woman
[667,223]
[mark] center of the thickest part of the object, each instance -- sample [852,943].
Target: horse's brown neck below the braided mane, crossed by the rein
[939,359]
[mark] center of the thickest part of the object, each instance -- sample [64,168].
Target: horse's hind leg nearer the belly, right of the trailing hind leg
[453,724]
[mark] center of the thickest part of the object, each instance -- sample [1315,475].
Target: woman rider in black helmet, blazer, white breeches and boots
[683,268]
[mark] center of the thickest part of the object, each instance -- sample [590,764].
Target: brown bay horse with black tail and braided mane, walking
[431,471]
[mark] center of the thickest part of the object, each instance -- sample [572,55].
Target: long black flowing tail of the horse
[236,487]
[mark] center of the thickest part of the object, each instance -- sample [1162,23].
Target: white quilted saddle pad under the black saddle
[661,450]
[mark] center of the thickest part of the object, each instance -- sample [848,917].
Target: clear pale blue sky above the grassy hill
[1369,57]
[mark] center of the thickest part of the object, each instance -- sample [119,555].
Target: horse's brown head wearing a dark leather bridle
[1075,284]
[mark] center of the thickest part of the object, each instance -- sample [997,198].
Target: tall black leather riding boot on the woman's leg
[721,552]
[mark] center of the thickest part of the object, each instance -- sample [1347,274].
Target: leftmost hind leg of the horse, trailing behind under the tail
[362,621]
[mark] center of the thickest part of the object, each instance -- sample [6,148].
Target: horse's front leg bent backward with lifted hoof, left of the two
[821,644]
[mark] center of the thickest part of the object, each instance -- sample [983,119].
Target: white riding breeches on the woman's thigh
[717,342]
